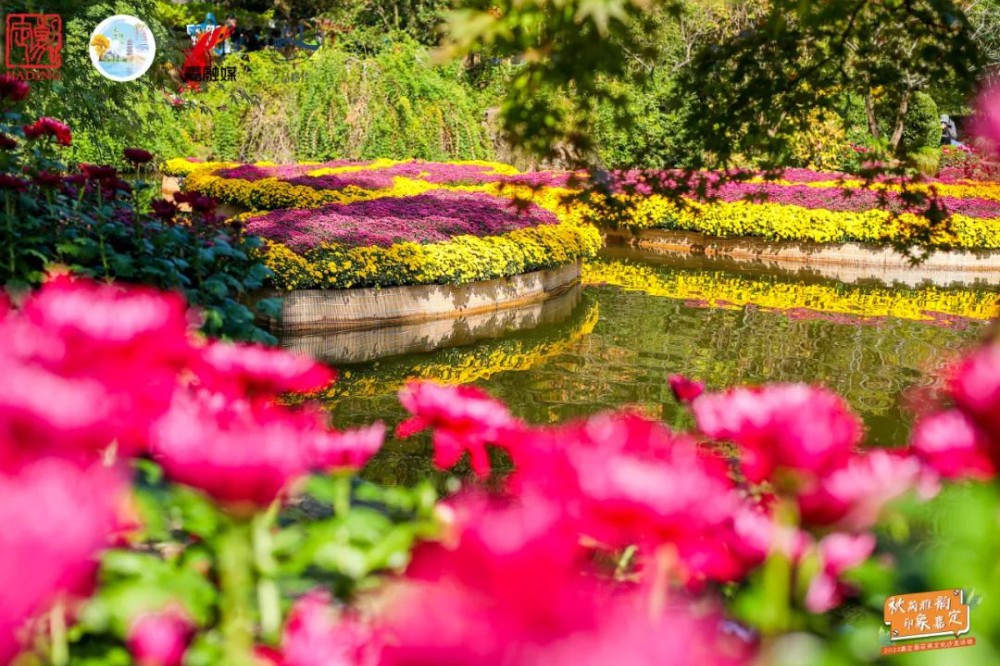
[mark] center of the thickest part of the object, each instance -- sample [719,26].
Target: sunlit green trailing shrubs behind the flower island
[391,103]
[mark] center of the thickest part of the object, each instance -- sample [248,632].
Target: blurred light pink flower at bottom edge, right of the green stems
[317,635]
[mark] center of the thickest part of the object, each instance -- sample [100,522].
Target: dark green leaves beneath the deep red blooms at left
[95,227]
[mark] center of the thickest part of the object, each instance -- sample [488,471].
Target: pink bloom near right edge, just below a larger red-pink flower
[954,446]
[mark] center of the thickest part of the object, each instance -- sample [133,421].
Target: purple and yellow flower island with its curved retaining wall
[367,244]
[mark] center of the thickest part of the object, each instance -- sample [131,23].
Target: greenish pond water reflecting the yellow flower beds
[639,318]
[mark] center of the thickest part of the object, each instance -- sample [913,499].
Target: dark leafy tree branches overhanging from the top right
[745,86]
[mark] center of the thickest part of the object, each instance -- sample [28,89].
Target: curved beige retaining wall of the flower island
[318,310]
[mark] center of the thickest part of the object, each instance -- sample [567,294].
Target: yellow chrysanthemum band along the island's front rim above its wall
[456,261]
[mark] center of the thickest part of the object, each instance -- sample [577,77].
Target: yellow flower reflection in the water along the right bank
[731,291]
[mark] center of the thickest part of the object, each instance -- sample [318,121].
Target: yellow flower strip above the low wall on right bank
[795,223]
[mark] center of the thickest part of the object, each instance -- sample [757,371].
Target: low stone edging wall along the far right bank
[844,261]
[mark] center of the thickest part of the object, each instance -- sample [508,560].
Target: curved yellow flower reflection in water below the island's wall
[461,365]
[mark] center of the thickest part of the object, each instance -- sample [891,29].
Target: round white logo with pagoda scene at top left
[122,48]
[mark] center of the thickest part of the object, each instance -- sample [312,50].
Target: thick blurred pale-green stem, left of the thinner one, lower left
[235,562]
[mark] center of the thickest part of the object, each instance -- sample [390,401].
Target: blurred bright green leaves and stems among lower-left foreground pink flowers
[341,533]
